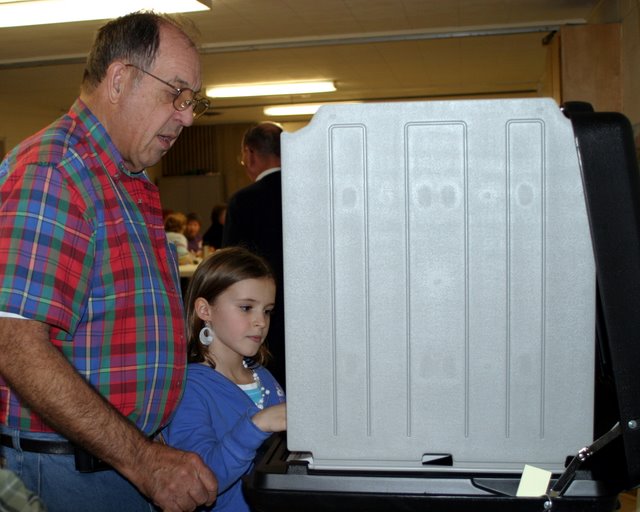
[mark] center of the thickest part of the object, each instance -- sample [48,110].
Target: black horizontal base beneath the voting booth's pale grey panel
[279,484]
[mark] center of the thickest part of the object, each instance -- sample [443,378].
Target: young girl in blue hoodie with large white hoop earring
[231,403]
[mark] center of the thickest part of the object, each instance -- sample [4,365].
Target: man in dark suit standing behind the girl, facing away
[254,220]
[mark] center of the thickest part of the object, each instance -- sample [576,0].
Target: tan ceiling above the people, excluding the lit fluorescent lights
[374,50]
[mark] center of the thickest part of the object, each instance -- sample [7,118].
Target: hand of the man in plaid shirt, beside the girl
[175,480]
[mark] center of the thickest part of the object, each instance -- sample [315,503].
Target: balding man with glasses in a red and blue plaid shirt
[91,320]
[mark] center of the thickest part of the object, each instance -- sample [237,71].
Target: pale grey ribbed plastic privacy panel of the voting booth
[439,286]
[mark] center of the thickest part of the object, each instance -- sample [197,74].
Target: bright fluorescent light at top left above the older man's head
[44,12]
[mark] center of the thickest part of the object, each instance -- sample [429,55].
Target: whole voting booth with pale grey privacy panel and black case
[496,244]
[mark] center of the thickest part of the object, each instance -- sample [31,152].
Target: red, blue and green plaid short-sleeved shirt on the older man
[83,249]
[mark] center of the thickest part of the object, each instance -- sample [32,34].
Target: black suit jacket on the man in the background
[254,221]
